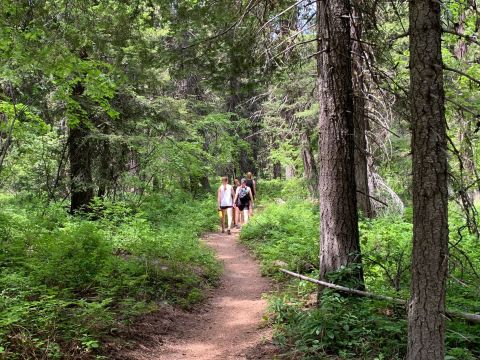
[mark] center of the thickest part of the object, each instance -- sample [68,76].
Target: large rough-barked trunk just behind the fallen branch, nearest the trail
[339,237]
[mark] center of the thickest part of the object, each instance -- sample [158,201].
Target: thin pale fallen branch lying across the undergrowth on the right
[473,318]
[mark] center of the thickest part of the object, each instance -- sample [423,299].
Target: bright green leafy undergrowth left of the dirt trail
[67,281]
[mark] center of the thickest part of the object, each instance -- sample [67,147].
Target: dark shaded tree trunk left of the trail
[79,154]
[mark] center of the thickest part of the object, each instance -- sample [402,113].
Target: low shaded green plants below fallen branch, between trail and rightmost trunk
[348,327]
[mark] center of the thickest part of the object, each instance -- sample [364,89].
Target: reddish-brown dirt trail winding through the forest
[230,327]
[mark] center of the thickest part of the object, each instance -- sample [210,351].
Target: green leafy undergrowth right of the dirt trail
[285,234]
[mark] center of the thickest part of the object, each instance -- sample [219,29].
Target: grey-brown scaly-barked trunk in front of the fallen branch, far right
[426,313]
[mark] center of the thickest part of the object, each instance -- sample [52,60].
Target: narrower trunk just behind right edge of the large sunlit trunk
[360,120]
